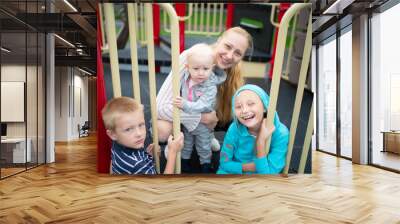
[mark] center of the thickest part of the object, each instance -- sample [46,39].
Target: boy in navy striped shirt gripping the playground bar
[124,120]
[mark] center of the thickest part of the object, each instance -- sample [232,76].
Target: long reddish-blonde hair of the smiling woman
[233,82]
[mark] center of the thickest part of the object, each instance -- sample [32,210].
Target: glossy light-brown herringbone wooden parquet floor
[71,191]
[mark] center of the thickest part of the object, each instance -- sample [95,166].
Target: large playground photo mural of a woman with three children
[204,88]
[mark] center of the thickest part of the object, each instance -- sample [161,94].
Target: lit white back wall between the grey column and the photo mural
[71,94]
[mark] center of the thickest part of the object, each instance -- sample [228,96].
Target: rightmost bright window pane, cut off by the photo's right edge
[385,85]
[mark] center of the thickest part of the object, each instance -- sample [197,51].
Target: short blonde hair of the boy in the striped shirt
[116,107]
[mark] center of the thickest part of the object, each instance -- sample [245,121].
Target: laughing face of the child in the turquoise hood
[249,110]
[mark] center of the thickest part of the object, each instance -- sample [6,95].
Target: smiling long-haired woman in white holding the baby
[229,50]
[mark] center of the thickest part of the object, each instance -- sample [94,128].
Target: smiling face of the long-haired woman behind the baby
[230,49]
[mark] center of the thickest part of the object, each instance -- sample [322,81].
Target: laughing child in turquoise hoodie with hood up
[243,151]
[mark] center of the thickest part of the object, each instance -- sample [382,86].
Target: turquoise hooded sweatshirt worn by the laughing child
[239,144]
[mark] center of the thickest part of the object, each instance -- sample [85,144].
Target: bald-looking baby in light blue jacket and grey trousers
[198,90]
